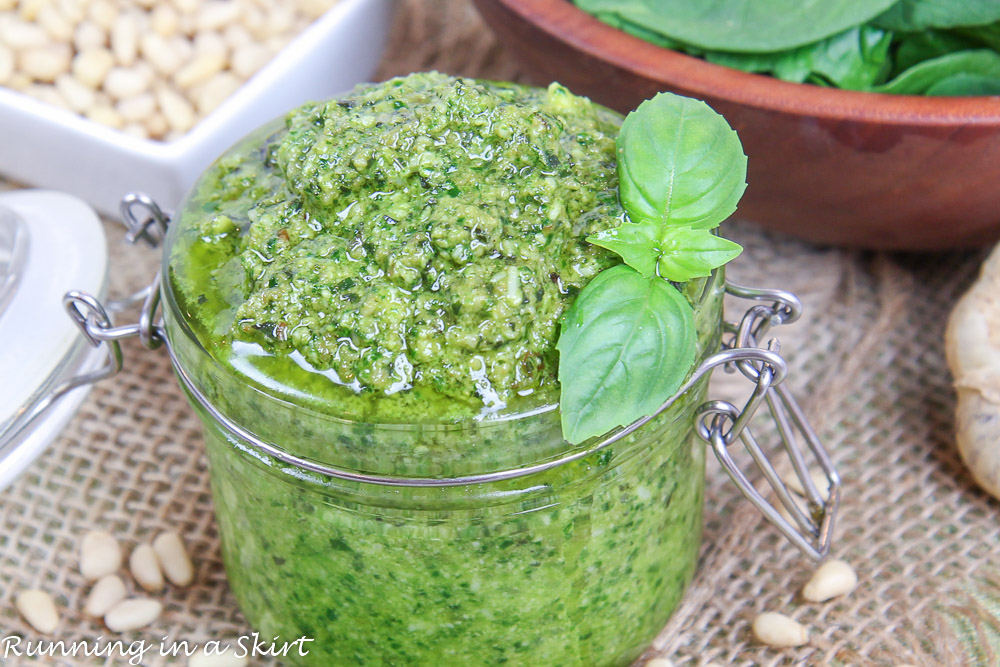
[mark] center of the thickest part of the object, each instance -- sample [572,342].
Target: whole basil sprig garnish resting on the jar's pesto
[629,339]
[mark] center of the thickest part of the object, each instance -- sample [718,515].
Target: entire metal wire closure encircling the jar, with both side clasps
[719,423]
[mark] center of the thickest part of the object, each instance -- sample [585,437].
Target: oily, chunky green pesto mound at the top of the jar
[416,241]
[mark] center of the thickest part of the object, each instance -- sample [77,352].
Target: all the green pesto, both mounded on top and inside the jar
[450,214]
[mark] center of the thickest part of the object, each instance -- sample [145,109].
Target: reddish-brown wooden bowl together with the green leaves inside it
[908,170]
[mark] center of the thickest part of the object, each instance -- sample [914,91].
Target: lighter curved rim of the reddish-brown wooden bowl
[564,21]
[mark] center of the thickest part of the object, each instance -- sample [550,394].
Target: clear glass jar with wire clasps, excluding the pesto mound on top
[480,542]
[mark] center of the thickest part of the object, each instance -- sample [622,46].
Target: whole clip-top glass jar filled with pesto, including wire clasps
[439,540]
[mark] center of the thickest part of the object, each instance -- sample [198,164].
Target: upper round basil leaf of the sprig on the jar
[679,163]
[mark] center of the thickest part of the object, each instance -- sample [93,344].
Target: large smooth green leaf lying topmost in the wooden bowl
[744,26]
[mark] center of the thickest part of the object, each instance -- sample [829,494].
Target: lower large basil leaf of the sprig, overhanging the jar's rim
[625,347]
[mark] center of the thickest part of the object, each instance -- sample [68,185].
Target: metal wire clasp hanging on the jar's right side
[721,424]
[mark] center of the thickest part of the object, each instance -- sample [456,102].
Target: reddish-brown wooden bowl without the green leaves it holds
[830,166]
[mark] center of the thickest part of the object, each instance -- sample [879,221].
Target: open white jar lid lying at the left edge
[50,243]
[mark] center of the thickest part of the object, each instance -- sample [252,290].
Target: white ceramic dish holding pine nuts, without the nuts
[49,147]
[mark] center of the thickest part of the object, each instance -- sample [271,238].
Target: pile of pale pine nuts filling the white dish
[147,67]
